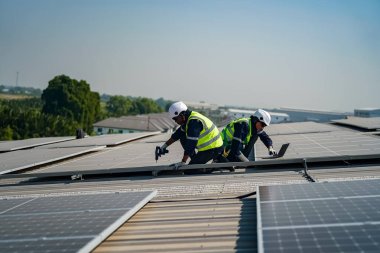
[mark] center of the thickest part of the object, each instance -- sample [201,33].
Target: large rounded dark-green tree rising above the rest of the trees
[73,100]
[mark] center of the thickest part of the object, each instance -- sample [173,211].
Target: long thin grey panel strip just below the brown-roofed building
[101,140]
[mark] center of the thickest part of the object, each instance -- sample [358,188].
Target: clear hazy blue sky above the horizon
[307,54]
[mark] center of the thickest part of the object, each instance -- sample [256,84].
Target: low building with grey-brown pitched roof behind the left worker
[132,124]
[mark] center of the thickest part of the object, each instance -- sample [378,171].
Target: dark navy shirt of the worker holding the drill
[194,129]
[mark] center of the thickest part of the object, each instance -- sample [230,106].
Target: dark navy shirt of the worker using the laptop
[241,132]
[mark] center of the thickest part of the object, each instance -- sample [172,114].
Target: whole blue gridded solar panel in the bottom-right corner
[323,217]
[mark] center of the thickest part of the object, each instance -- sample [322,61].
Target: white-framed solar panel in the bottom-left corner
[76,223]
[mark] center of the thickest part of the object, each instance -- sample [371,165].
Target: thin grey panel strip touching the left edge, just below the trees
[7,146]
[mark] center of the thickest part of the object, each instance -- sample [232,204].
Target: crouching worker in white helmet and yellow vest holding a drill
[199,137]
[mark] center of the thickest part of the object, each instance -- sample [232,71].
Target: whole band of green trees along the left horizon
[64,106]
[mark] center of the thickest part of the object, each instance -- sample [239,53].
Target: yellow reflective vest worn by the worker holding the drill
[209,136]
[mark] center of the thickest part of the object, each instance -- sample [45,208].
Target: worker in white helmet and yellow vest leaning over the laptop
[240,135]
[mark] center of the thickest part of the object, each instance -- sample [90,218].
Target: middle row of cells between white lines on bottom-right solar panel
[324,212]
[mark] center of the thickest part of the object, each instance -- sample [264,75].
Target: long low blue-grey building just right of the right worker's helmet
[300,115]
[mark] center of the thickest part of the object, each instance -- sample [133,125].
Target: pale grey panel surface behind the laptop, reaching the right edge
[328,144]
